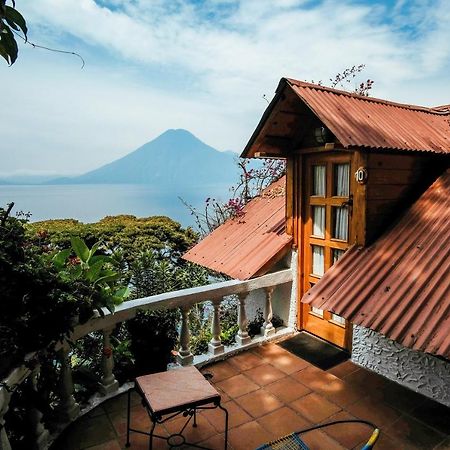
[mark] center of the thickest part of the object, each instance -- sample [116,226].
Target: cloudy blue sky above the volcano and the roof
[201,65]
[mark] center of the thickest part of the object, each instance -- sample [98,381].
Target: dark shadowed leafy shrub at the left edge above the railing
[37,306]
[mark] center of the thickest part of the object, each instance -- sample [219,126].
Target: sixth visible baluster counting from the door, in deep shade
[69,408]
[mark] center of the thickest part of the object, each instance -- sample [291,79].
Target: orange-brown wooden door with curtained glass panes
[327,211]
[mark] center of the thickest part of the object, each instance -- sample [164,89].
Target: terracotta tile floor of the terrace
[270,393]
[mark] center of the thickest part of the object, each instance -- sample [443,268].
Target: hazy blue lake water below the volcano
[90,203]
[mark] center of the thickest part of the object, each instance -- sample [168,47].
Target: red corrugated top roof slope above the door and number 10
[359,121]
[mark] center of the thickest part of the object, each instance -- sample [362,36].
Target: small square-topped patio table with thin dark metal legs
[166,395]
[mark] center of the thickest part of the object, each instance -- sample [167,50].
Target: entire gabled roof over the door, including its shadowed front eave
[356,121]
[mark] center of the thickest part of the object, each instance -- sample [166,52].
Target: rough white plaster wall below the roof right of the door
[418,371]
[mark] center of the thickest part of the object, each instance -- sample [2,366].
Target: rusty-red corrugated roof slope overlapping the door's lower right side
[399,286]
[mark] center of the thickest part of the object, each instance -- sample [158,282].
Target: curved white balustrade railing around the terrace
[184,299]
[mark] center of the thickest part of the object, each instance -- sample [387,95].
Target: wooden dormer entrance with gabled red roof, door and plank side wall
[354,165]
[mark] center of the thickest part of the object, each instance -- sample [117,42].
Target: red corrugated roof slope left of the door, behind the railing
[242,246]
